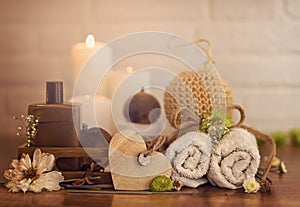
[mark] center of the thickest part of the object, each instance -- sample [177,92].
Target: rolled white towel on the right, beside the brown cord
[234,159]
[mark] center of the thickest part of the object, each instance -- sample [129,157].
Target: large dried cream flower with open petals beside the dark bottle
[35,175]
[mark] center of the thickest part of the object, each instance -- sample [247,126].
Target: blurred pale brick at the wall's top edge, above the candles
[150,11]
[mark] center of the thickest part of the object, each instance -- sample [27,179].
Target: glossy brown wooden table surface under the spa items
[286,192]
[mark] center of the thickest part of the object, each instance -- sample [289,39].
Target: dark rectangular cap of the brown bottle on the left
[54,92]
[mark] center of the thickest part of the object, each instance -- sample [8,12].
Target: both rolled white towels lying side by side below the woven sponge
[228,164]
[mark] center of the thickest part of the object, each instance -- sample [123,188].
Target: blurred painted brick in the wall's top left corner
[35,12]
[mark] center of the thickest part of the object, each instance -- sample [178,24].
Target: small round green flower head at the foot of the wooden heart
[161,183]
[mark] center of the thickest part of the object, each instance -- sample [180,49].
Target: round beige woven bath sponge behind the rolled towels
[198,91]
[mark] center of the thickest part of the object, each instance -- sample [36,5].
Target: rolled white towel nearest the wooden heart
[190,156]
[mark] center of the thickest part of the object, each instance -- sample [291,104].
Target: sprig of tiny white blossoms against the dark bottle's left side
[30,124]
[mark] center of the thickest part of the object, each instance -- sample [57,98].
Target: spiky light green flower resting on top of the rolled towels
[216,125]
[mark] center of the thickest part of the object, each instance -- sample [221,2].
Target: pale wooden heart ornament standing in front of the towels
[127,173]
